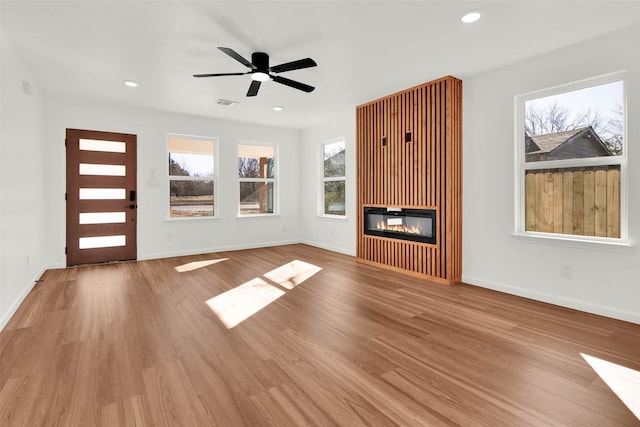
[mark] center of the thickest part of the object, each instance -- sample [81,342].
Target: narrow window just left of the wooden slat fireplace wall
[333,178]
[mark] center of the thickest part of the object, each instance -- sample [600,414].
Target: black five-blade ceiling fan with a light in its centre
[261,71]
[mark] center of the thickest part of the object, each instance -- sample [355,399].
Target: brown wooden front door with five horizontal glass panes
[101,197]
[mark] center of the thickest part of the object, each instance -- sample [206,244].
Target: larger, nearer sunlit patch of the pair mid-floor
[240,303]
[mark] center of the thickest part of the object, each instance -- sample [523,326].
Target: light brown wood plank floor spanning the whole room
[137,344]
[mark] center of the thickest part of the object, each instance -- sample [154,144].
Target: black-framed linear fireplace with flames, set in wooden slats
[416,225]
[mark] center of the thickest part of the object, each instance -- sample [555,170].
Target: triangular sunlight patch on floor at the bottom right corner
[623,381]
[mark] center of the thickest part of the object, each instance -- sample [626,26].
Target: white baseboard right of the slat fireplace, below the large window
[588,307]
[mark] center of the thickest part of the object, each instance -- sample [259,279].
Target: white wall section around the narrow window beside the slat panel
[330,233]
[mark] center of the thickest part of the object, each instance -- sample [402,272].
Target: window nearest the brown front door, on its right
[192,176]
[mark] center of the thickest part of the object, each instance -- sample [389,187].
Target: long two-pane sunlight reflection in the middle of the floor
[238,304]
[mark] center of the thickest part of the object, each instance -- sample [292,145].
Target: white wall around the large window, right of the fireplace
[604,279]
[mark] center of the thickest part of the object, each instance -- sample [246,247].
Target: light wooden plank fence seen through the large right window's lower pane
[582,201]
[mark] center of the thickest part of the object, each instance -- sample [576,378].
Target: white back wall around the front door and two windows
[158,236]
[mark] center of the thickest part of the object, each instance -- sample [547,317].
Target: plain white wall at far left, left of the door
[22,183]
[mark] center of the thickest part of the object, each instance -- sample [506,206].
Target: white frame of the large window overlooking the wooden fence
[521,166]
